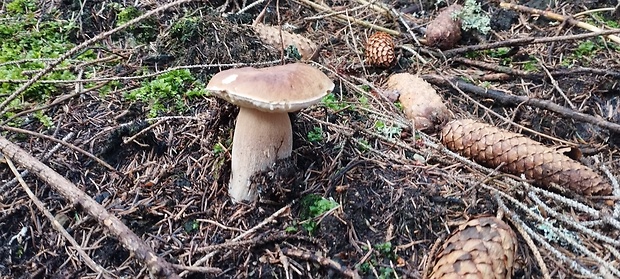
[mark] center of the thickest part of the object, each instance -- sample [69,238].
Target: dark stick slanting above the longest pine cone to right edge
[504,98]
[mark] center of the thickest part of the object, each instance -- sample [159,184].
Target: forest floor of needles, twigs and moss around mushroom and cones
[124,116]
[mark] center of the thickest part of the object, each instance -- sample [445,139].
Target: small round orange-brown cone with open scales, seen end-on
[380,50]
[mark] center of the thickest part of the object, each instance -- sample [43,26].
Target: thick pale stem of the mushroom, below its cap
[260,139]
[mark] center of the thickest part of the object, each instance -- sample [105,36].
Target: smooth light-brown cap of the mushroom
[285,88]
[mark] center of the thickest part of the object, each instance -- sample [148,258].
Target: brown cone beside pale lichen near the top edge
[444,31]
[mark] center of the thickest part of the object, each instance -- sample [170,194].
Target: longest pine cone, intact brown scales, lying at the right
[491,146]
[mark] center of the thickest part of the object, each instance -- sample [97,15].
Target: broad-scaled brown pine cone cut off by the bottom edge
[483,248]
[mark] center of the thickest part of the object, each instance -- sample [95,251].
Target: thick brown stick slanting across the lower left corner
[158,267]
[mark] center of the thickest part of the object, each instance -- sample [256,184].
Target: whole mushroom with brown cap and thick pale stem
[263,132]
